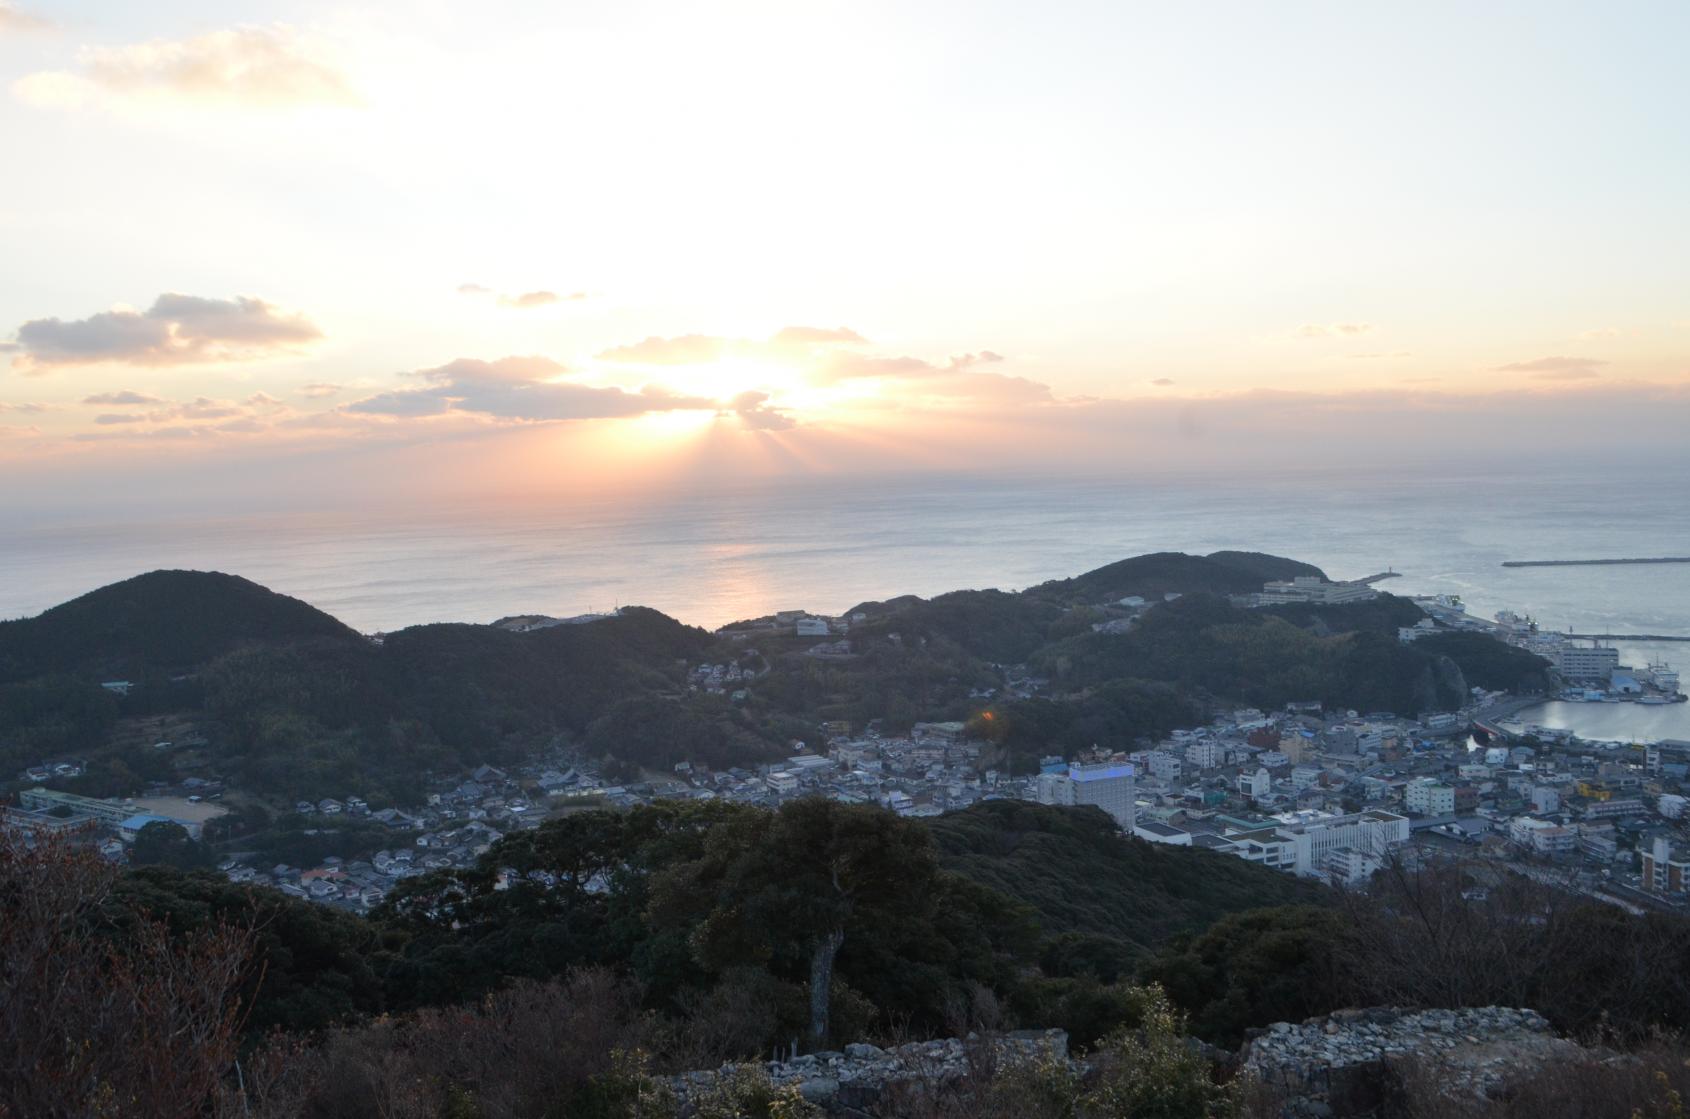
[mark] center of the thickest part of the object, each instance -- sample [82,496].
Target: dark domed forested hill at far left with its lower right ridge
[288,702]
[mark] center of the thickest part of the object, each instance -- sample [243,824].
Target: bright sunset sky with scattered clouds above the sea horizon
[292,254]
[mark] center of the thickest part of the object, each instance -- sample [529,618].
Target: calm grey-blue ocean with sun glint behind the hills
[716,555]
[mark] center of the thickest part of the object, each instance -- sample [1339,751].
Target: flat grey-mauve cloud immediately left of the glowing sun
[518,390]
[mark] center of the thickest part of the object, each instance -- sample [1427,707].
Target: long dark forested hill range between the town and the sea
[286,702]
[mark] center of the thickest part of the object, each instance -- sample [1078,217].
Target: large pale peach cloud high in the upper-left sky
[256,67]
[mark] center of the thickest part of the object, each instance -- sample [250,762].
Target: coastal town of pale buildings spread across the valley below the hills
[1333,795]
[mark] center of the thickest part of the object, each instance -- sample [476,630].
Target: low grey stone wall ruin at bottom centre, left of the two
[853,1079]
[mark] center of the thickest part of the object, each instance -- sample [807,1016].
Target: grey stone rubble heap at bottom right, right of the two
[1349,1062]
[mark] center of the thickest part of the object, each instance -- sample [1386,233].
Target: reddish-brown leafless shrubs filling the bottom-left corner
[97,1020]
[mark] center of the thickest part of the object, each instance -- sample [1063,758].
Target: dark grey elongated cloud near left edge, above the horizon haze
[177,330]
